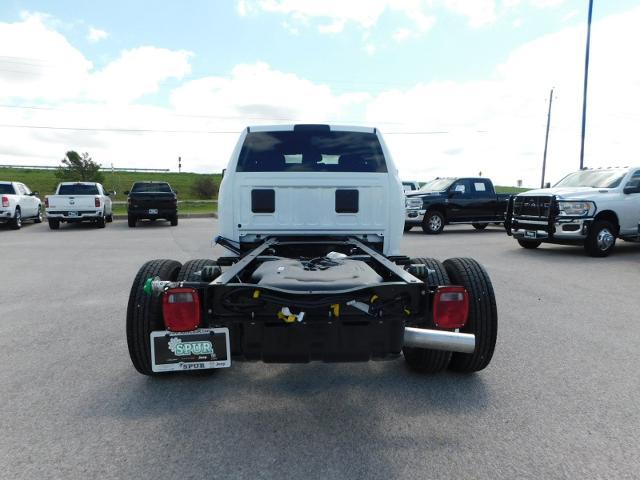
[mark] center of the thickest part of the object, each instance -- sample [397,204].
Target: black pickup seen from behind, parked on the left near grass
[152,200]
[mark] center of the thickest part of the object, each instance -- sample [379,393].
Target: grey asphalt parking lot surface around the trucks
[559,400]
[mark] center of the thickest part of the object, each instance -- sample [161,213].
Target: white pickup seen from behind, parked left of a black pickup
[78,202]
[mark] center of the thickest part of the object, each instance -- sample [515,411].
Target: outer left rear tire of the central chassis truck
[144,312]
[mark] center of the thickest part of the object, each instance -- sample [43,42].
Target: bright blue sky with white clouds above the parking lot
[459,66]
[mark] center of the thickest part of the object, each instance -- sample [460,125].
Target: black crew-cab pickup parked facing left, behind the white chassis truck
[447,201]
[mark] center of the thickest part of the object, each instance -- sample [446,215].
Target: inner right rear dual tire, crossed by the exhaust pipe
[424,360]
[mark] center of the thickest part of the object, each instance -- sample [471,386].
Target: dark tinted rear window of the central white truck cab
[311,151]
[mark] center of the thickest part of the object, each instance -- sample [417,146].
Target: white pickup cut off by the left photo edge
[18,203]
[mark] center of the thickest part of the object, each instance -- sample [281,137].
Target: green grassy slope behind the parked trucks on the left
[45,181]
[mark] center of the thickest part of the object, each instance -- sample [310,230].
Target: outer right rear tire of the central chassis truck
[483,313]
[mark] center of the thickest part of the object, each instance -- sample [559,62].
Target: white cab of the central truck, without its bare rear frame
[312,180]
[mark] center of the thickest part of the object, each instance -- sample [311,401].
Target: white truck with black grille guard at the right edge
[591,207]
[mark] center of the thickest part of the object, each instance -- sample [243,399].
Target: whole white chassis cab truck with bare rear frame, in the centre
[312,217]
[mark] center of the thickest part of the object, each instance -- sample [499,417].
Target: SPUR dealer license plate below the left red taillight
[198,350]
